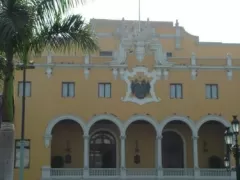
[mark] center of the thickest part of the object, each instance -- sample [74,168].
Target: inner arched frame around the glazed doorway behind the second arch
[116,140]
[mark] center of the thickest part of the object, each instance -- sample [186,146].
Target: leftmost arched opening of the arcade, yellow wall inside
[67,145]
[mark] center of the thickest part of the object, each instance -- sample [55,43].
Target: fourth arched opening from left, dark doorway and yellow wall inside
[176,145]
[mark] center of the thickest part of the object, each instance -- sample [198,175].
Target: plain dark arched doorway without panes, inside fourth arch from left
[172,150]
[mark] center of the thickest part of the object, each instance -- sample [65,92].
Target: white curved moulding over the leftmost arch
[53,122]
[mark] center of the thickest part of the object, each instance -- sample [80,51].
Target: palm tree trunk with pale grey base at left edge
[7,128]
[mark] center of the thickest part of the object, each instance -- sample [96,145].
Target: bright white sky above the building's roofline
[211,20]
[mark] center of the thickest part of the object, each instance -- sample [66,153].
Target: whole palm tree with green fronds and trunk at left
[28,27]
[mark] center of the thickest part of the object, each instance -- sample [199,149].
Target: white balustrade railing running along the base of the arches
[189,173]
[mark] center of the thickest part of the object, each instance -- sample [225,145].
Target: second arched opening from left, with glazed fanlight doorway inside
[104,145]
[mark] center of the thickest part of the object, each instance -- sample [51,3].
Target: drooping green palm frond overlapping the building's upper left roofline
[65,34]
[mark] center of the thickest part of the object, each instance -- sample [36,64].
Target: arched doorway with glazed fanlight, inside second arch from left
[102,150]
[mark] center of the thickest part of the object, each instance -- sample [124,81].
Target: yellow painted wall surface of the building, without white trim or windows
[46,102]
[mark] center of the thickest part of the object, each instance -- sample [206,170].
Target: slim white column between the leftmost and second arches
[86,156]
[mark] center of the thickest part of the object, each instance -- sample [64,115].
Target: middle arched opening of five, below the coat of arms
[140,145]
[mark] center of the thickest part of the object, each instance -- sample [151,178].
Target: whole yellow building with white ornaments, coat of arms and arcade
[153,103]
